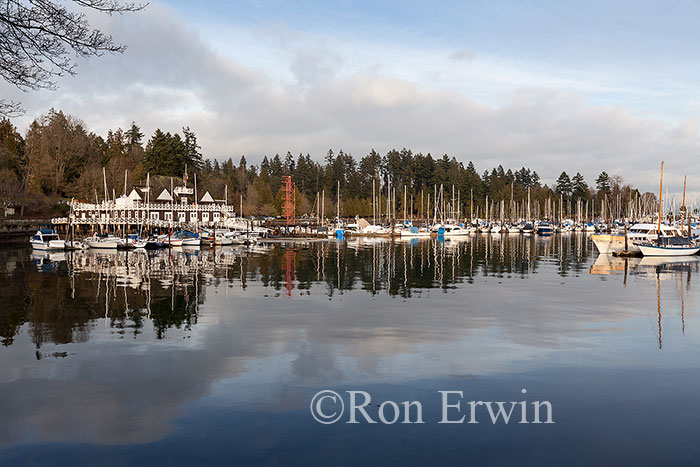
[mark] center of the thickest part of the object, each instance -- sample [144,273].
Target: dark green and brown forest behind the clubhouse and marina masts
[57,158]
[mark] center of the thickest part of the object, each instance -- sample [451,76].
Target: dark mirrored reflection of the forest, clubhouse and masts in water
[60,294]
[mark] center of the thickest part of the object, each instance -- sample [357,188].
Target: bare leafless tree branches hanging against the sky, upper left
[38,36]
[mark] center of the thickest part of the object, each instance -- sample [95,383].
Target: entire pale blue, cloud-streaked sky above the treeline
[575,86]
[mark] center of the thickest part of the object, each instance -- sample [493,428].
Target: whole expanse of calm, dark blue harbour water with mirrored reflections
[202,357]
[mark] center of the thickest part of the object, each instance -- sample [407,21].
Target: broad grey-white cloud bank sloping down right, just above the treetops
[172,77]
